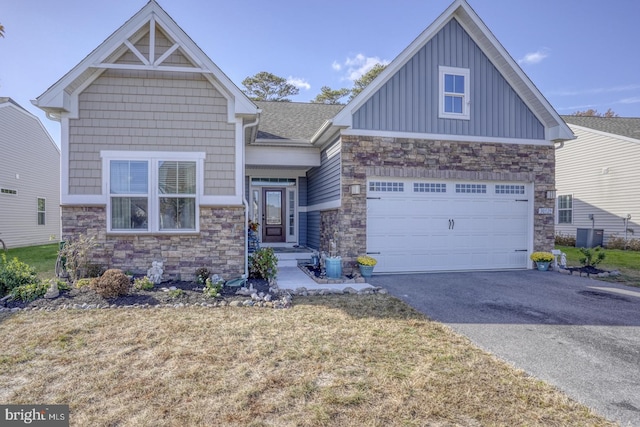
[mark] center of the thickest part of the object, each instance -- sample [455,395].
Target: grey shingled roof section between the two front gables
[292,121]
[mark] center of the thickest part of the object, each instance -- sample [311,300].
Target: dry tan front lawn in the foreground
[341,360]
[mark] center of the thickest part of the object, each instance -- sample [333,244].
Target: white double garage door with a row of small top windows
[417,226]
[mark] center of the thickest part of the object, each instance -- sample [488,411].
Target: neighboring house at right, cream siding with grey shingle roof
[598,177]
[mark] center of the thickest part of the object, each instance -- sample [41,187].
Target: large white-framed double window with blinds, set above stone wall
[153,192]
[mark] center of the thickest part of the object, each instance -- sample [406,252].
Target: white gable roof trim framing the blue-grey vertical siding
[555,128]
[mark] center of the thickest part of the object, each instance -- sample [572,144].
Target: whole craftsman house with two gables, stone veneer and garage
[444,162]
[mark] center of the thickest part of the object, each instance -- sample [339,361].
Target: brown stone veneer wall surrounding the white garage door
[366,157]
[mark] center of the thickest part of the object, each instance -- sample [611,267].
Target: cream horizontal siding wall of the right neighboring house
[600,171]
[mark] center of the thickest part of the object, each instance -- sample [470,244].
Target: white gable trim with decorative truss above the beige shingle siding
[62,96]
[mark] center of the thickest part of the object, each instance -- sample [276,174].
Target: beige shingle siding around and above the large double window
[151,111]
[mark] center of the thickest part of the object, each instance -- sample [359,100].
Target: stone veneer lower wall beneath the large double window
[219,246]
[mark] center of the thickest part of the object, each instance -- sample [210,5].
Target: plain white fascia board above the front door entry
[282,156]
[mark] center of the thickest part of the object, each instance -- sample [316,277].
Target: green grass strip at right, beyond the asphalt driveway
[627,262]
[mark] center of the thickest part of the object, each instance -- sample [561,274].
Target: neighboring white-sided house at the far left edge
[29,179]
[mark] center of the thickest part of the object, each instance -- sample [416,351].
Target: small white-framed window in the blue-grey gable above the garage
[454,93]
